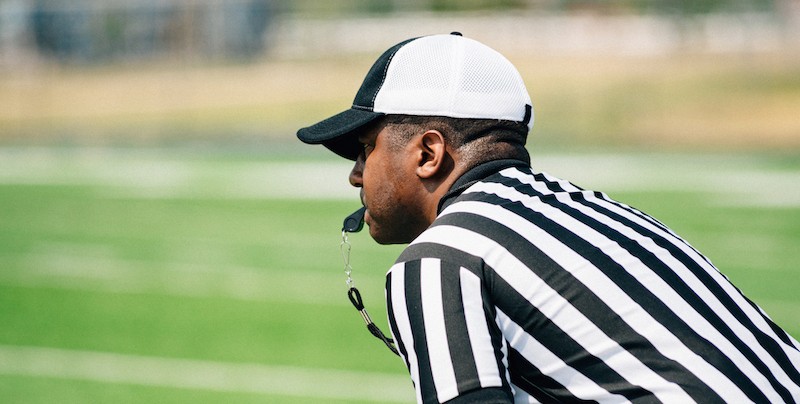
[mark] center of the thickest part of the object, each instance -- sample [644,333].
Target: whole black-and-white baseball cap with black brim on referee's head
[438,75]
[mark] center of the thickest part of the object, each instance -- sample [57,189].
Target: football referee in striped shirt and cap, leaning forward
[517,286]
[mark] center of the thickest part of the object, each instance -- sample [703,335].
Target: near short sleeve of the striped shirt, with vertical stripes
[445,330]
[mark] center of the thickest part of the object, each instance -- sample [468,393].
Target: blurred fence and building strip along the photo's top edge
[97,31]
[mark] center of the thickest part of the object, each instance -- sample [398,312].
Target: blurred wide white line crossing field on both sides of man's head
[737,180]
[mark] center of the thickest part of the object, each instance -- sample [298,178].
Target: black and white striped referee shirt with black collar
[531,289]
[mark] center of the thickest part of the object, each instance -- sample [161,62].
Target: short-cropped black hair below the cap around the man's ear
[479,140]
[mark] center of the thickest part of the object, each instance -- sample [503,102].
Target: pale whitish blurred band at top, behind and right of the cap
[568,33]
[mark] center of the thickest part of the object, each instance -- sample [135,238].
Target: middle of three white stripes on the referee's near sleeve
[441,366]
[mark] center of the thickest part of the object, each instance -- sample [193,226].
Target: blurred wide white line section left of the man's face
[155,175]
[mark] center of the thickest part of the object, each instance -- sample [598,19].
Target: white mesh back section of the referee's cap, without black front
[453,76]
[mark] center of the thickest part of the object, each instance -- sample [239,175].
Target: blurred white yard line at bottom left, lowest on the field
[192,374]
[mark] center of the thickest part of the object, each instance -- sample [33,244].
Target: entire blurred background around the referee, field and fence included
[164,236]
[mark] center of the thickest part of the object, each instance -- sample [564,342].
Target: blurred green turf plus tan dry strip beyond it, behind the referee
[146,256]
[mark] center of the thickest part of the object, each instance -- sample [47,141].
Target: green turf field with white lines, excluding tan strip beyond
[147,275]
